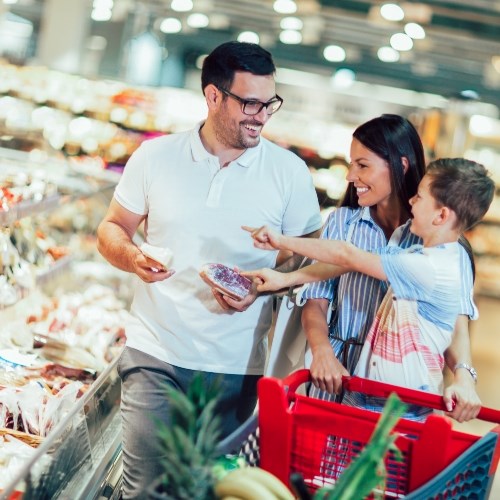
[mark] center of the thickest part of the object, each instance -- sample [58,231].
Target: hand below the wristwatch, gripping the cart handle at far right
[463,392]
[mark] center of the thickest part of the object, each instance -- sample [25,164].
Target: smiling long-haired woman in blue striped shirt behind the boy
[387,163]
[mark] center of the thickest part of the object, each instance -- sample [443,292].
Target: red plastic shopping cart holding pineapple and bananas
[318,439]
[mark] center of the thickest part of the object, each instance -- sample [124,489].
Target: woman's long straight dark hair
[392,138]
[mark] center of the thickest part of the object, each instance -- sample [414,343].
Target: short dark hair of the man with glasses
[225,60]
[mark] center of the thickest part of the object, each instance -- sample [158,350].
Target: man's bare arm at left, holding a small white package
[114,242]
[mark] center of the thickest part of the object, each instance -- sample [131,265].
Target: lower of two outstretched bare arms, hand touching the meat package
[269,280]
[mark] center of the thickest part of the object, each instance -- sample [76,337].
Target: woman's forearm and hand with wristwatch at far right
[463,387]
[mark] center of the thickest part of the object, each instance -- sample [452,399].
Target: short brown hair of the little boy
[462,185]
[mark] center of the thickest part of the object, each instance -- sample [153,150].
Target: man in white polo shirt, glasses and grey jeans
[194,190]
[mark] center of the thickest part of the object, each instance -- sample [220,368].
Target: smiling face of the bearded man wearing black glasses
[233,128]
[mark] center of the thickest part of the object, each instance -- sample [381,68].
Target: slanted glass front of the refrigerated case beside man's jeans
[75,458]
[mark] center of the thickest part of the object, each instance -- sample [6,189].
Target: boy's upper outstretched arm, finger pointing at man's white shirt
[339,253]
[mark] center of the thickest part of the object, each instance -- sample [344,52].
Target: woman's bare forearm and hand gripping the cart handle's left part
[326,370]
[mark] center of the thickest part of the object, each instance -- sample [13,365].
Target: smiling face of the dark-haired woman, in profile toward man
[370,175]
